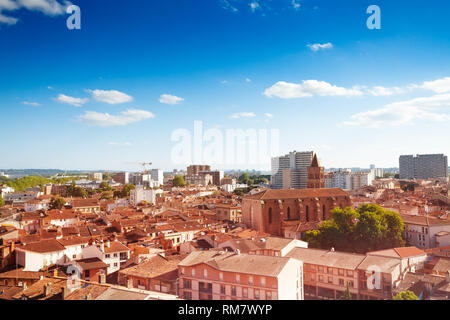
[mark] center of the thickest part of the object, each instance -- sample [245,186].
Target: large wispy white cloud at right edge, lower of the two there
[404,112]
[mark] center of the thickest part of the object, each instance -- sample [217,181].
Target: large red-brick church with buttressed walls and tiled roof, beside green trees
[289,213]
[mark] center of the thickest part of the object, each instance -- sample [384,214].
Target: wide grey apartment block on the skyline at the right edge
[423,166]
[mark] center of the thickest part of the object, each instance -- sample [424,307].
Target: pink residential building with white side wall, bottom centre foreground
[219,275]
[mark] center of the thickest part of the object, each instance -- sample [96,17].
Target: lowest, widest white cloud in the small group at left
[107,120]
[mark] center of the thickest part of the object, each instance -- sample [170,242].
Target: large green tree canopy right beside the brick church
[368,228]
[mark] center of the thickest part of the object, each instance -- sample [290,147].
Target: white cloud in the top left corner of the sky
[47,7]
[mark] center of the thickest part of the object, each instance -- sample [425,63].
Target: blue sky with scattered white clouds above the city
[93,98]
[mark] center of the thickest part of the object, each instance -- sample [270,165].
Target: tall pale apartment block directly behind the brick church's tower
[291,171]
